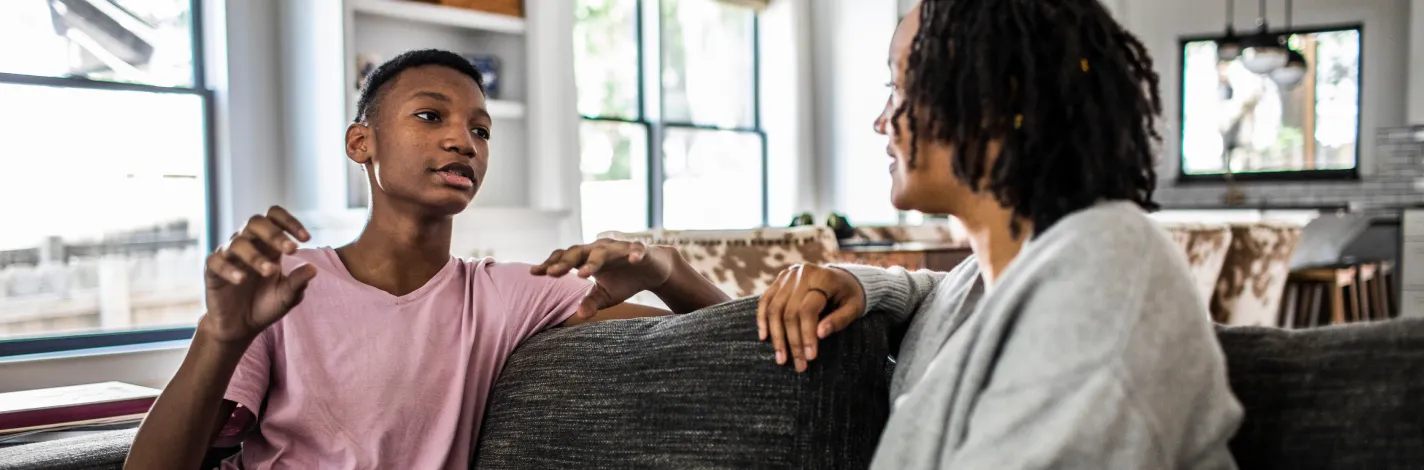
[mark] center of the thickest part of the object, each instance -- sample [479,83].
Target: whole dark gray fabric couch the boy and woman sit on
[698,392]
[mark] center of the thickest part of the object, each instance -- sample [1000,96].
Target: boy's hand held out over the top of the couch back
[620,270]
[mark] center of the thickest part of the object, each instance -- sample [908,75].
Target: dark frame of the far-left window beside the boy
[14,348]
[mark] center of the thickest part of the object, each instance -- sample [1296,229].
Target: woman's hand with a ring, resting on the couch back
[792,307]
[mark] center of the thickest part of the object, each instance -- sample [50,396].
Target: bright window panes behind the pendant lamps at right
[1269,132]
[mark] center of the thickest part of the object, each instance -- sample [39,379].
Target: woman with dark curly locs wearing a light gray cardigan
[1074,337]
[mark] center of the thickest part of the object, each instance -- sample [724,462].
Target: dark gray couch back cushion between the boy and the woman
[696,391]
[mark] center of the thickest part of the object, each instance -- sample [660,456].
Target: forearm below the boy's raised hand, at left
[190,412]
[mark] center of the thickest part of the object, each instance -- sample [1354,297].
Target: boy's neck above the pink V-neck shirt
[398,253]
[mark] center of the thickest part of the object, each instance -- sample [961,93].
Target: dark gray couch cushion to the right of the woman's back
[1332,398]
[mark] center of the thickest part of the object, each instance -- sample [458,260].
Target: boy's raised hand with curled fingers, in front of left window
[246,287]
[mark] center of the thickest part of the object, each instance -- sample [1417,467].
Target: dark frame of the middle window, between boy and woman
[654,130]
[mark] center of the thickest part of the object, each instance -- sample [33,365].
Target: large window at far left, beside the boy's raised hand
[105,133]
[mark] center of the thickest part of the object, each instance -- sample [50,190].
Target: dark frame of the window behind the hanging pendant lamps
[1352,174]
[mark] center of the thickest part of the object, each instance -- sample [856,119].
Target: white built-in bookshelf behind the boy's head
[528,184]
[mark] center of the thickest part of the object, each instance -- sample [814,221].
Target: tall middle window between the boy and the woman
[669,90]
